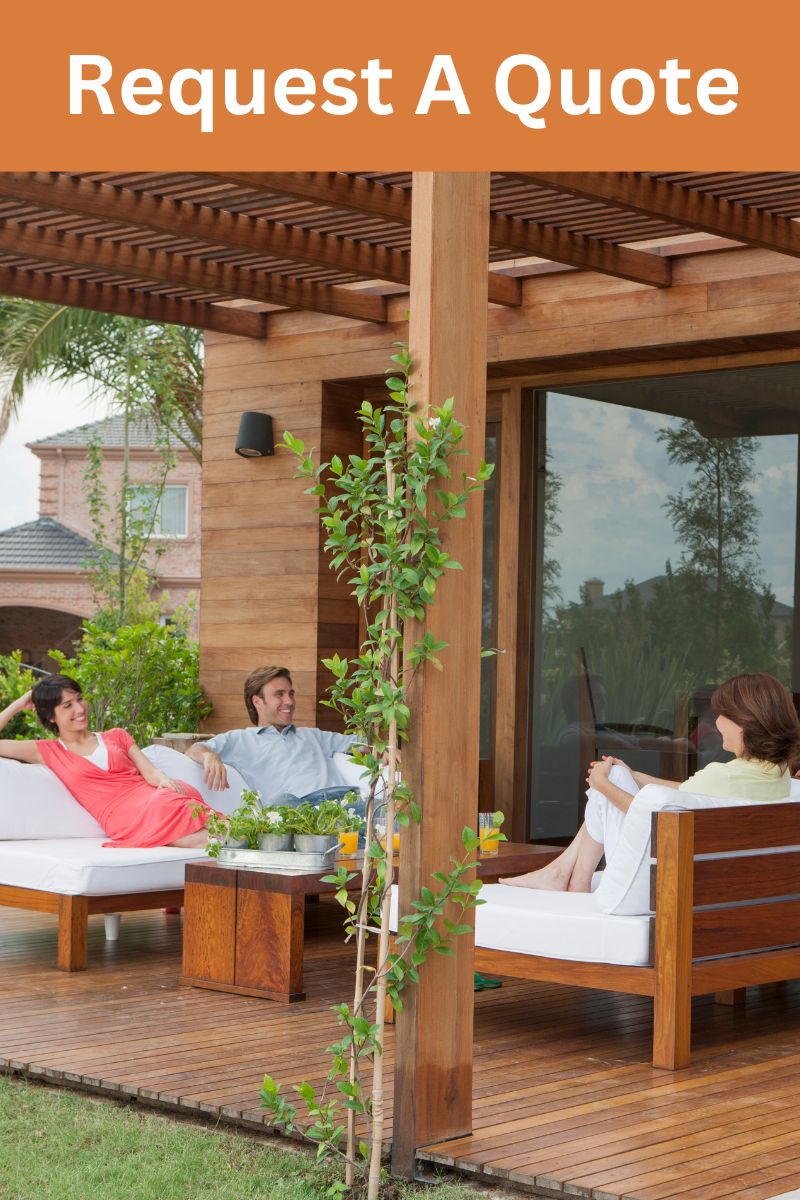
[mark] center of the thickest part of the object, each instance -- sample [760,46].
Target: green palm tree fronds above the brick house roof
[148,369]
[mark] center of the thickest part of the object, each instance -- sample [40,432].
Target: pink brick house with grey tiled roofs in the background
[45,591]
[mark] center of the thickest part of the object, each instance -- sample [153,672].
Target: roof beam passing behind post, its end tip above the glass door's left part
[340,191]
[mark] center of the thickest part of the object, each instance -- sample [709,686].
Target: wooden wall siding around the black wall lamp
[261,553]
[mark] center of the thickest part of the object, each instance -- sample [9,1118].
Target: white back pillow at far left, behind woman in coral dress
[34,803]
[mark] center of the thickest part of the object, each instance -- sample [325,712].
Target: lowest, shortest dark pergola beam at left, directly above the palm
[131,303]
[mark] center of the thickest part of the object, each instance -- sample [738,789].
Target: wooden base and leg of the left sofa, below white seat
[74,915]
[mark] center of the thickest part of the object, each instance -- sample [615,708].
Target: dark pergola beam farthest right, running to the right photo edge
[635,193]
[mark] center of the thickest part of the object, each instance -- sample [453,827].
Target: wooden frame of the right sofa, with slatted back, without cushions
[751,937]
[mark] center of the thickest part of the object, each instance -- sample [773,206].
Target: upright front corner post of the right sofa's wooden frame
[672,1023]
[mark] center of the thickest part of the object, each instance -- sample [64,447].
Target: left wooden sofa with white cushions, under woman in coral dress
[53,860]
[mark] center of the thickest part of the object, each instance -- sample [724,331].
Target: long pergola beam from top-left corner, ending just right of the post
[218,227]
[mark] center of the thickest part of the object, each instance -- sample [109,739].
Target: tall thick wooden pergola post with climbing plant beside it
[434,1078]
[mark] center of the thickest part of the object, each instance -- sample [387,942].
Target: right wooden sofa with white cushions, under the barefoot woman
[702,896]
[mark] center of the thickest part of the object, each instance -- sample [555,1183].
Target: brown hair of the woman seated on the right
[762,706]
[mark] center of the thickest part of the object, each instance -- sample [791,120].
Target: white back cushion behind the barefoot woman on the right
[625,885]
